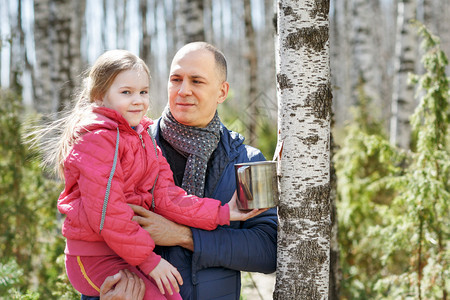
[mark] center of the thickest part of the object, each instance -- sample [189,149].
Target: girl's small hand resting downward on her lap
[166,275]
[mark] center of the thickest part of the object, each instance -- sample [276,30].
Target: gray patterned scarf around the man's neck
[195,143]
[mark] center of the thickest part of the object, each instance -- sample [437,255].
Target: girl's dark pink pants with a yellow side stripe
[87,274]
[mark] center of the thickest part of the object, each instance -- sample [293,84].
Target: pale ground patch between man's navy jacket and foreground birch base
[257,286]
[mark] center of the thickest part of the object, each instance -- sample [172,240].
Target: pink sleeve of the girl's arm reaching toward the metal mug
[175,204]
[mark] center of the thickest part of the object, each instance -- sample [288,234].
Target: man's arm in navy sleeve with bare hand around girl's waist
[252,247]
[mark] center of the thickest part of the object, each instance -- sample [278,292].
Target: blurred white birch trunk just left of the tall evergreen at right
[403,102]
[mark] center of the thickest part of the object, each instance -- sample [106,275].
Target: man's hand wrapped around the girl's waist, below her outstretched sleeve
[163,232]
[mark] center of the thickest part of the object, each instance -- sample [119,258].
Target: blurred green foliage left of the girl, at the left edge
[30,238]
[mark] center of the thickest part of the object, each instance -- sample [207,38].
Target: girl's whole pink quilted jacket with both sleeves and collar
[87,169]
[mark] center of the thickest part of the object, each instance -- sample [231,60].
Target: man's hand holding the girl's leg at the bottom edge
[125,285]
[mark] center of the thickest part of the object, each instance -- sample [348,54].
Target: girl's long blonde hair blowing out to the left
[95,85]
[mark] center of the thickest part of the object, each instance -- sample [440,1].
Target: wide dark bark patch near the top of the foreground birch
[311,37]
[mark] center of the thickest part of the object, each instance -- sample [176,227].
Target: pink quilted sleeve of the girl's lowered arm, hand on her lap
[92,159]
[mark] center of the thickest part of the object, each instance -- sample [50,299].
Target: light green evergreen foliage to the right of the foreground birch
[393,205]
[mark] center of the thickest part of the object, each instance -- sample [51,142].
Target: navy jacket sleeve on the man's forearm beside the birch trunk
[252,247]
